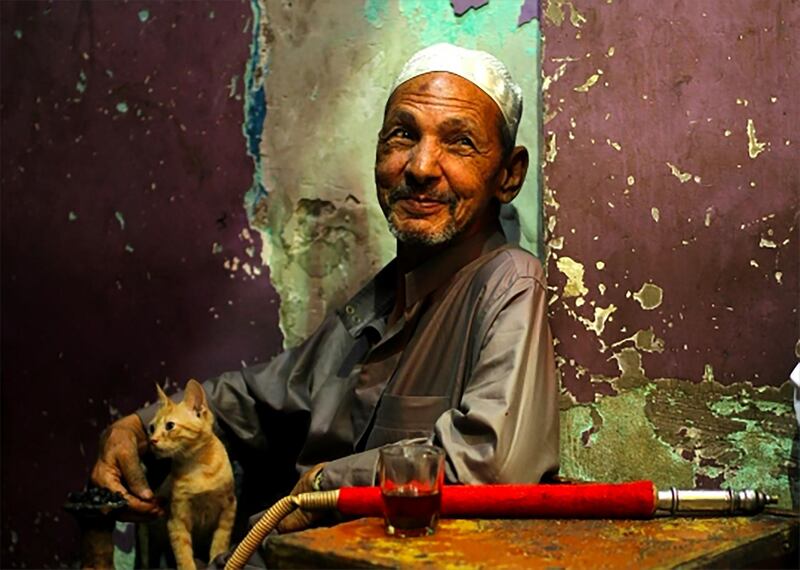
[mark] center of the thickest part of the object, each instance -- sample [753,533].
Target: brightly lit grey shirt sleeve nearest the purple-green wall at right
[506,427]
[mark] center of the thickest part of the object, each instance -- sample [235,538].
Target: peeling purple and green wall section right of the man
[671,198]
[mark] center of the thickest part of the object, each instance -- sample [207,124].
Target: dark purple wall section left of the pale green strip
[132,108]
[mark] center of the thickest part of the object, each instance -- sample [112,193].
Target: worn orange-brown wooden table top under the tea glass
[763,541]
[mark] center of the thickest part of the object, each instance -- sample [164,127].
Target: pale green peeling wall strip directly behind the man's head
[324,70]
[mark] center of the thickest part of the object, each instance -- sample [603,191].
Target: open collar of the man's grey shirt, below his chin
[375,300]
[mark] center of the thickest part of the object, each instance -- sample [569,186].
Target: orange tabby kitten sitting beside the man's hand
[202,495]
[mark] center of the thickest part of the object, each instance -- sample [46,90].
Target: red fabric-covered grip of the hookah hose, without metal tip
[590,500]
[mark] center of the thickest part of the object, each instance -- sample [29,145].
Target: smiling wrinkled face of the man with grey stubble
[439,159]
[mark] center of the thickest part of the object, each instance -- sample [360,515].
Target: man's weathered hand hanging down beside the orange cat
[118,468]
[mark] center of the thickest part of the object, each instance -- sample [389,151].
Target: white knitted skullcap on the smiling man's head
[479,67]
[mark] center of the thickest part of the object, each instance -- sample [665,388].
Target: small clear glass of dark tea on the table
[411,477]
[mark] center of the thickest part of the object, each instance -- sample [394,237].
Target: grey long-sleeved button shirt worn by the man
[468,366]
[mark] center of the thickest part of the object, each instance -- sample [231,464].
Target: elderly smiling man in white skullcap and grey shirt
[449,342]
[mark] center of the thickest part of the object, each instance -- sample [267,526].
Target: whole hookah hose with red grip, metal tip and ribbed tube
[635,500]
